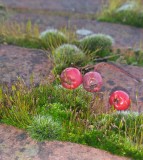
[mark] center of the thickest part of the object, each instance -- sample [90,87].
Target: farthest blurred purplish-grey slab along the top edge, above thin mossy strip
[88,6]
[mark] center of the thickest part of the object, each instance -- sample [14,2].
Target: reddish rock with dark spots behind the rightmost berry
[123,77]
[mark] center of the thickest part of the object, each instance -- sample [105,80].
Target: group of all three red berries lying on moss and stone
[92,81]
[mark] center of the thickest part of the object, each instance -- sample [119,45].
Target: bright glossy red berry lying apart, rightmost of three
[120,100]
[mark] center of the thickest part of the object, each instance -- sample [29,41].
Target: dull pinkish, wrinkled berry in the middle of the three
[92,81]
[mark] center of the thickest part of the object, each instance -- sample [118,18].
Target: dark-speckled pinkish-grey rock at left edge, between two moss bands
[24,63]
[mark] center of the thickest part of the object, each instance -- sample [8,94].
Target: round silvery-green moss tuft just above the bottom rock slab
[44,128]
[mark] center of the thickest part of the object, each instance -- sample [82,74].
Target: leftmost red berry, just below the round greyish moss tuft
[71,78]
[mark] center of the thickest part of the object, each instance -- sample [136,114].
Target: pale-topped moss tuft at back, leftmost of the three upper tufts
[53,38]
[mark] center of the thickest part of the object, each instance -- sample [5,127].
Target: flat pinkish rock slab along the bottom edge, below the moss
[15,144]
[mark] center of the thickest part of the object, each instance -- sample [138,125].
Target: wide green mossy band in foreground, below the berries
[51,112]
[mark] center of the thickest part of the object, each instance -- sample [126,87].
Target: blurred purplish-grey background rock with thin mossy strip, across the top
[73,15]
